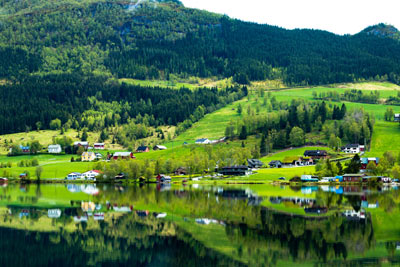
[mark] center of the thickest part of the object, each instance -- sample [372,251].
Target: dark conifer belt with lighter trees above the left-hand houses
[62,101]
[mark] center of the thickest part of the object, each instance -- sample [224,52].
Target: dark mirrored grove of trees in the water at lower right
[298,238]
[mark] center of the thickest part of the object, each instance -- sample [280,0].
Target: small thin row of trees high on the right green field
[352,95]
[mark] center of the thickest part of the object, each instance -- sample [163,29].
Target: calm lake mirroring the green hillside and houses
[198,225]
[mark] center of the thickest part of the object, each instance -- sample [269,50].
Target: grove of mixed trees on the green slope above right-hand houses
[287,124]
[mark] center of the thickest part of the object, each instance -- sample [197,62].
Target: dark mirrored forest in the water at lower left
[126,241]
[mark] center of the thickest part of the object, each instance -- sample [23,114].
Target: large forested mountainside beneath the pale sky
[151,39]
